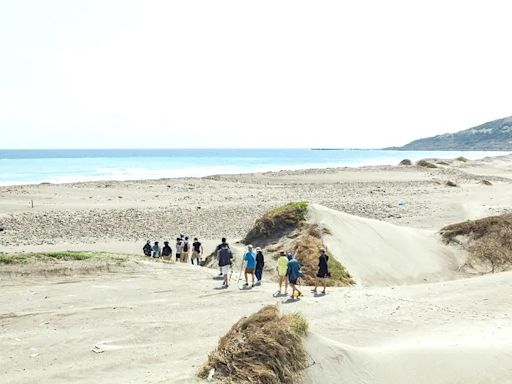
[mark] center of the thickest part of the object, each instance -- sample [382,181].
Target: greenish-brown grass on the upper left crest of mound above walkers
[276,223]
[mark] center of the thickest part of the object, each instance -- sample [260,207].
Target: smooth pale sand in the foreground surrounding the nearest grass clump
[159,324]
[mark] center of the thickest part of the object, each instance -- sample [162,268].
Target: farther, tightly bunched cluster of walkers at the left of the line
[183,250]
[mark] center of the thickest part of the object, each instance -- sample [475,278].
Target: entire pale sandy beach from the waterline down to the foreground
[411,317]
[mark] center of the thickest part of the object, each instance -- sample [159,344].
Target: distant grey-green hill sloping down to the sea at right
[492,136]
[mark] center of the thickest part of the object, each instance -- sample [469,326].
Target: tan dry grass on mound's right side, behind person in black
[306,248]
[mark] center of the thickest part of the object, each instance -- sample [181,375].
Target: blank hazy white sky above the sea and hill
[125,74]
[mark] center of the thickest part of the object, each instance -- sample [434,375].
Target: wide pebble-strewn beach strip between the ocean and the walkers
[227,205]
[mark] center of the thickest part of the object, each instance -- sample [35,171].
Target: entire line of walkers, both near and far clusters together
[288,268]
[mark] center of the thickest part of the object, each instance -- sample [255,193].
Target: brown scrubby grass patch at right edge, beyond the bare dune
[488,240]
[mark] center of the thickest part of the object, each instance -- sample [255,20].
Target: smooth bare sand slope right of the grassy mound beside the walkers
[380,253]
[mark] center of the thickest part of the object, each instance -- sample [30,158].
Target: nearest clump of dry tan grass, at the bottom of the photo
[264,348]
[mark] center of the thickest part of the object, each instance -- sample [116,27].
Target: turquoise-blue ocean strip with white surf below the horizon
[73,165]
